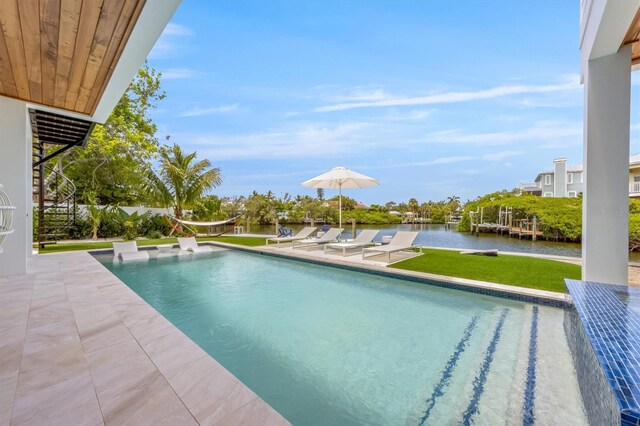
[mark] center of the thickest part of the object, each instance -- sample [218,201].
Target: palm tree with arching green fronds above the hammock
[181,181]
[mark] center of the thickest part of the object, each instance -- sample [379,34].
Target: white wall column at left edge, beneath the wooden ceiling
[15,175]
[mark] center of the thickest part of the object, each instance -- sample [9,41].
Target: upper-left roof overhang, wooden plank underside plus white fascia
[73,57]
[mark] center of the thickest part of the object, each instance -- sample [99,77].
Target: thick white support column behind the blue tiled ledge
[605,216]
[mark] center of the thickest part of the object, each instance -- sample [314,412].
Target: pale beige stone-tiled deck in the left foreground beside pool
[77,346]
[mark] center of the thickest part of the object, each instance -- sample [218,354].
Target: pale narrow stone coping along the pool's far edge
[524,294]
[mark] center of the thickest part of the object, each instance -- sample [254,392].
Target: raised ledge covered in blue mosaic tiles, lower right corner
[606,349]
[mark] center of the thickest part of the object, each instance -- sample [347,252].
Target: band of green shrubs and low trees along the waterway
[558,219]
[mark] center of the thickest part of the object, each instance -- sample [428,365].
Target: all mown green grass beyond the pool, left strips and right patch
[519,271]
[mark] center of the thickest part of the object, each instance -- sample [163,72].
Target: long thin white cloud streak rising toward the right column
[450,97]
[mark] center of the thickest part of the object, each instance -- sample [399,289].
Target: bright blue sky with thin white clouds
[432,98]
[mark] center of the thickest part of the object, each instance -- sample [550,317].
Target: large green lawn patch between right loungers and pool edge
[521,271]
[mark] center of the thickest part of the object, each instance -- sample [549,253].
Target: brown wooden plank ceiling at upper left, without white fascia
[61,53]
